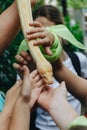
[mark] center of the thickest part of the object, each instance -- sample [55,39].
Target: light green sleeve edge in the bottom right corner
[80,121]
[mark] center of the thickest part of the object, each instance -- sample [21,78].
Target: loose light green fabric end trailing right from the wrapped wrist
[62,31]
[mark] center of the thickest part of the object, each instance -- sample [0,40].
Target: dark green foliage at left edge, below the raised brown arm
[7,72]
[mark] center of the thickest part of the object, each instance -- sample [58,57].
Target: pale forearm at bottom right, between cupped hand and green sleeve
[63,114]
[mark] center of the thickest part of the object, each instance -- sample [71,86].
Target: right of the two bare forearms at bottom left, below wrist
[21,116]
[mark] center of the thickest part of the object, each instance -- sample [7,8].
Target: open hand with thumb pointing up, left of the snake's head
[32,86]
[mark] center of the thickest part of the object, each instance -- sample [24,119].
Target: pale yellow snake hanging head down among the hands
[43,66]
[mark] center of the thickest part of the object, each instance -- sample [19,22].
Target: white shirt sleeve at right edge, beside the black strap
[83,64]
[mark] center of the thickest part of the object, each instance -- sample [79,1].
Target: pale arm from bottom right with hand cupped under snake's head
[54,101]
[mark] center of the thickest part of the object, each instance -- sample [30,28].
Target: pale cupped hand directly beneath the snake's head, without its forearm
[50,97]
